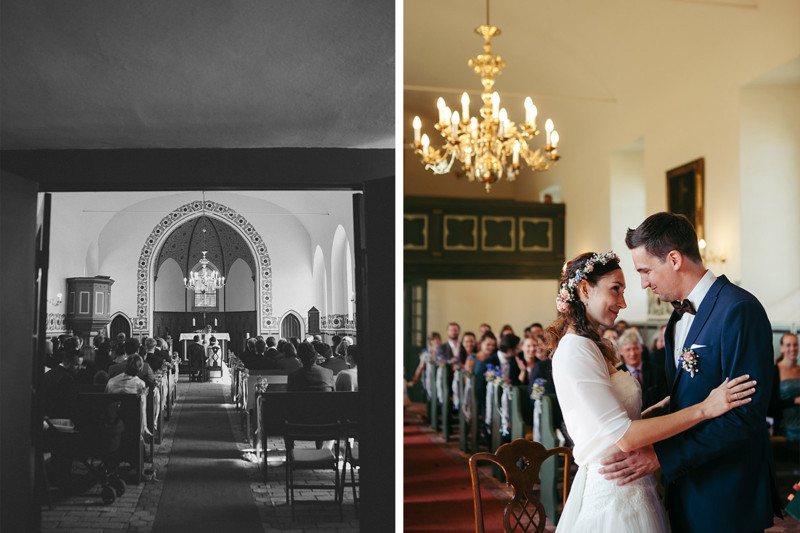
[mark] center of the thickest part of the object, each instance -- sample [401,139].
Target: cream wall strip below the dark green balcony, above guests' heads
[472,302]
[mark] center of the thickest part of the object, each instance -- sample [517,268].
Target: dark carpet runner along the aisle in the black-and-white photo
[206,487]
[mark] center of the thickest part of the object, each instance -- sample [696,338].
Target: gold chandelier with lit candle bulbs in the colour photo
[489,148]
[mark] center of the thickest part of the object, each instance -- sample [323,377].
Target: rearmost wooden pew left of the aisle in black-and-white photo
[131,448]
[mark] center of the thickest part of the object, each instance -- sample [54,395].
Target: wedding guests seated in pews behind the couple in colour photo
[484,391]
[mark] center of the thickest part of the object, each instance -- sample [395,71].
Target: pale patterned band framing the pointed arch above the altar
[145,290]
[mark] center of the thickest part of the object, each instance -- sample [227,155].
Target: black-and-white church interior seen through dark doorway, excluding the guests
[220,171]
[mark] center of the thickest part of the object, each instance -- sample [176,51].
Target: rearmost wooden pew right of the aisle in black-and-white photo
[275,408]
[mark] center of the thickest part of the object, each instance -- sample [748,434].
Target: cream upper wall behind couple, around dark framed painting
[680,120]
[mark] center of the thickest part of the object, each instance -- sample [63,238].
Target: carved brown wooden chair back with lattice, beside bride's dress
[521,461]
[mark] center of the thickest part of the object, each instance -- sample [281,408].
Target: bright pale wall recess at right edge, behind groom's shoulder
[770,196]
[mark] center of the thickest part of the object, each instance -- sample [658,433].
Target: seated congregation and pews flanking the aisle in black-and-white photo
[105,408]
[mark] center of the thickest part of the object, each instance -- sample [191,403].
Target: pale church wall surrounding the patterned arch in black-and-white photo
[118,239]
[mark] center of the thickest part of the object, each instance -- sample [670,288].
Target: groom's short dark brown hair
[663,232]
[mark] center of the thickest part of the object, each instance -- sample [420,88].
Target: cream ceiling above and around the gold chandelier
[614,52]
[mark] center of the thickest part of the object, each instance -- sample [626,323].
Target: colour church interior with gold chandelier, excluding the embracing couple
[639,93]
